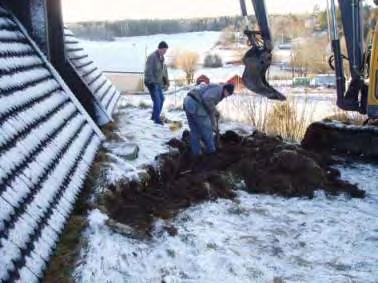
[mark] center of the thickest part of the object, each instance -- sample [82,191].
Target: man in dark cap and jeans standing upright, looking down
[156,79]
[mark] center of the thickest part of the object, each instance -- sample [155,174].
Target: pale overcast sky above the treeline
[84,10]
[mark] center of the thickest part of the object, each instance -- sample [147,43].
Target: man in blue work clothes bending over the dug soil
[200,108]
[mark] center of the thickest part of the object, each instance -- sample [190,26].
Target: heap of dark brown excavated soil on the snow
[257,163]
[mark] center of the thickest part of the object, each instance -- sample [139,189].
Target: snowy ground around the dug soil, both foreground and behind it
[252,239]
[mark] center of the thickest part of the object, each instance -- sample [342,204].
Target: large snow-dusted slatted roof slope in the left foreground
[47,145]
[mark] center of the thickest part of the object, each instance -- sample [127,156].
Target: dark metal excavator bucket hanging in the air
[256,63]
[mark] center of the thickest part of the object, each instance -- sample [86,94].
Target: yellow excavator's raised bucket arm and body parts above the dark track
[359,94]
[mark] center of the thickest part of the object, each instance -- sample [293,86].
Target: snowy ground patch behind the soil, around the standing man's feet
[135,127]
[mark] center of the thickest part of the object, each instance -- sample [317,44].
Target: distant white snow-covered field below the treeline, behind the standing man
[128,54]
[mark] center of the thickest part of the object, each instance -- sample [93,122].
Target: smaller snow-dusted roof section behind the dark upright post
[100,86]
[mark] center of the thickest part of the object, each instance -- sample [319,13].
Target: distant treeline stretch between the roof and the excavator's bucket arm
[110,30]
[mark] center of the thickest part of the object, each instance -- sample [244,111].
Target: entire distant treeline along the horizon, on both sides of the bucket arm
[284,27]
